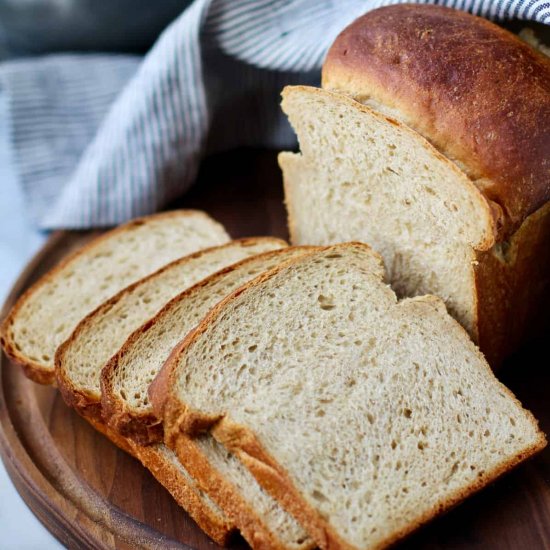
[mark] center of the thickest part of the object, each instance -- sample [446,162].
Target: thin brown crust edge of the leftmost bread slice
[37,371]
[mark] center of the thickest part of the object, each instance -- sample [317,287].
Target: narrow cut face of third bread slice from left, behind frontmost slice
[128,374]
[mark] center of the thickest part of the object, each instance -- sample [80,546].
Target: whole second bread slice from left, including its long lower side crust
[99,335]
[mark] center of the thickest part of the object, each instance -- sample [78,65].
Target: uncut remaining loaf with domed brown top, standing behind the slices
[440,161]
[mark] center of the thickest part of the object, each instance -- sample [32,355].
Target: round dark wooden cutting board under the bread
[90,494]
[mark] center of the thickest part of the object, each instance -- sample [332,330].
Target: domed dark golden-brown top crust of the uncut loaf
[479,93]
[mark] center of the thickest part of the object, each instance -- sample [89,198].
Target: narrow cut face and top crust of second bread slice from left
[79,360]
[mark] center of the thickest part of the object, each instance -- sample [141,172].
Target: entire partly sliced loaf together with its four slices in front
[296,396]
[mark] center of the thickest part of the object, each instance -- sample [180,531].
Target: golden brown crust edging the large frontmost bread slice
[181,422]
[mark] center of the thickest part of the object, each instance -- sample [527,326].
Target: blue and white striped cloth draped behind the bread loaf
[98,139]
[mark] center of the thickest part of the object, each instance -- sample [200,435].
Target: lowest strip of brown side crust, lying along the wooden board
[165,467]
